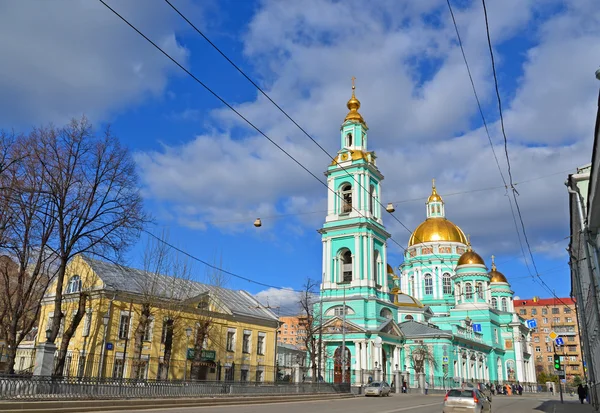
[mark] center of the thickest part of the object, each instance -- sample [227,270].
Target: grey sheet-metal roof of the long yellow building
[131,280]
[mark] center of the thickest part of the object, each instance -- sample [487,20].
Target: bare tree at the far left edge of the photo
[27,222]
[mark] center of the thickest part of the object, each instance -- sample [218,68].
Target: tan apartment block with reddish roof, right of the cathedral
[553,315]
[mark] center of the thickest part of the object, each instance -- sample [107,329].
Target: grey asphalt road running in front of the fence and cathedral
[393,404]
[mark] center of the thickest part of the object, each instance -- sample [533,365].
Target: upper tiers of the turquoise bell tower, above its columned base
[354,238]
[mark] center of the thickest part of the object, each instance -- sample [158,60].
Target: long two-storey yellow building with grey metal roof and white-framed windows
[239,334]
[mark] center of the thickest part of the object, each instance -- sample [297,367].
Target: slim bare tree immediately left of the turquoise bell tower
[310,319]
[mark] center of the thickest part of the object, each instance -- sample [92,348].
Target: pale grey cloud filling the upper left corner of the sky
[65,58]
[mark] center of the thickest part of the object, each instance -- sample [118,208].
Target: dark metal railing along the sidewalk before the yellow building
[72,388]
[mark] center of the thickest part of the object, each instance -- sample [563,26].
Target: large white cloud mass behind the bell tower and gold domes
[418,102]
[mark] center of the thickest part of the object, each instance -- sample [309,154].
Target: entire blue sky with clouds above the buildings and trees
[206,175]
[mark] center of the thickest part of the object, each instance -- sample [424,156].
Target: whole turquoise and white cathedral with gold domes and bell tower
[441,318]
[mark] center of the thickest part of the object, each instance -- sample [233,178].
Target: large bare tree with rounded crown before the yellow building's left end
[94,193]
